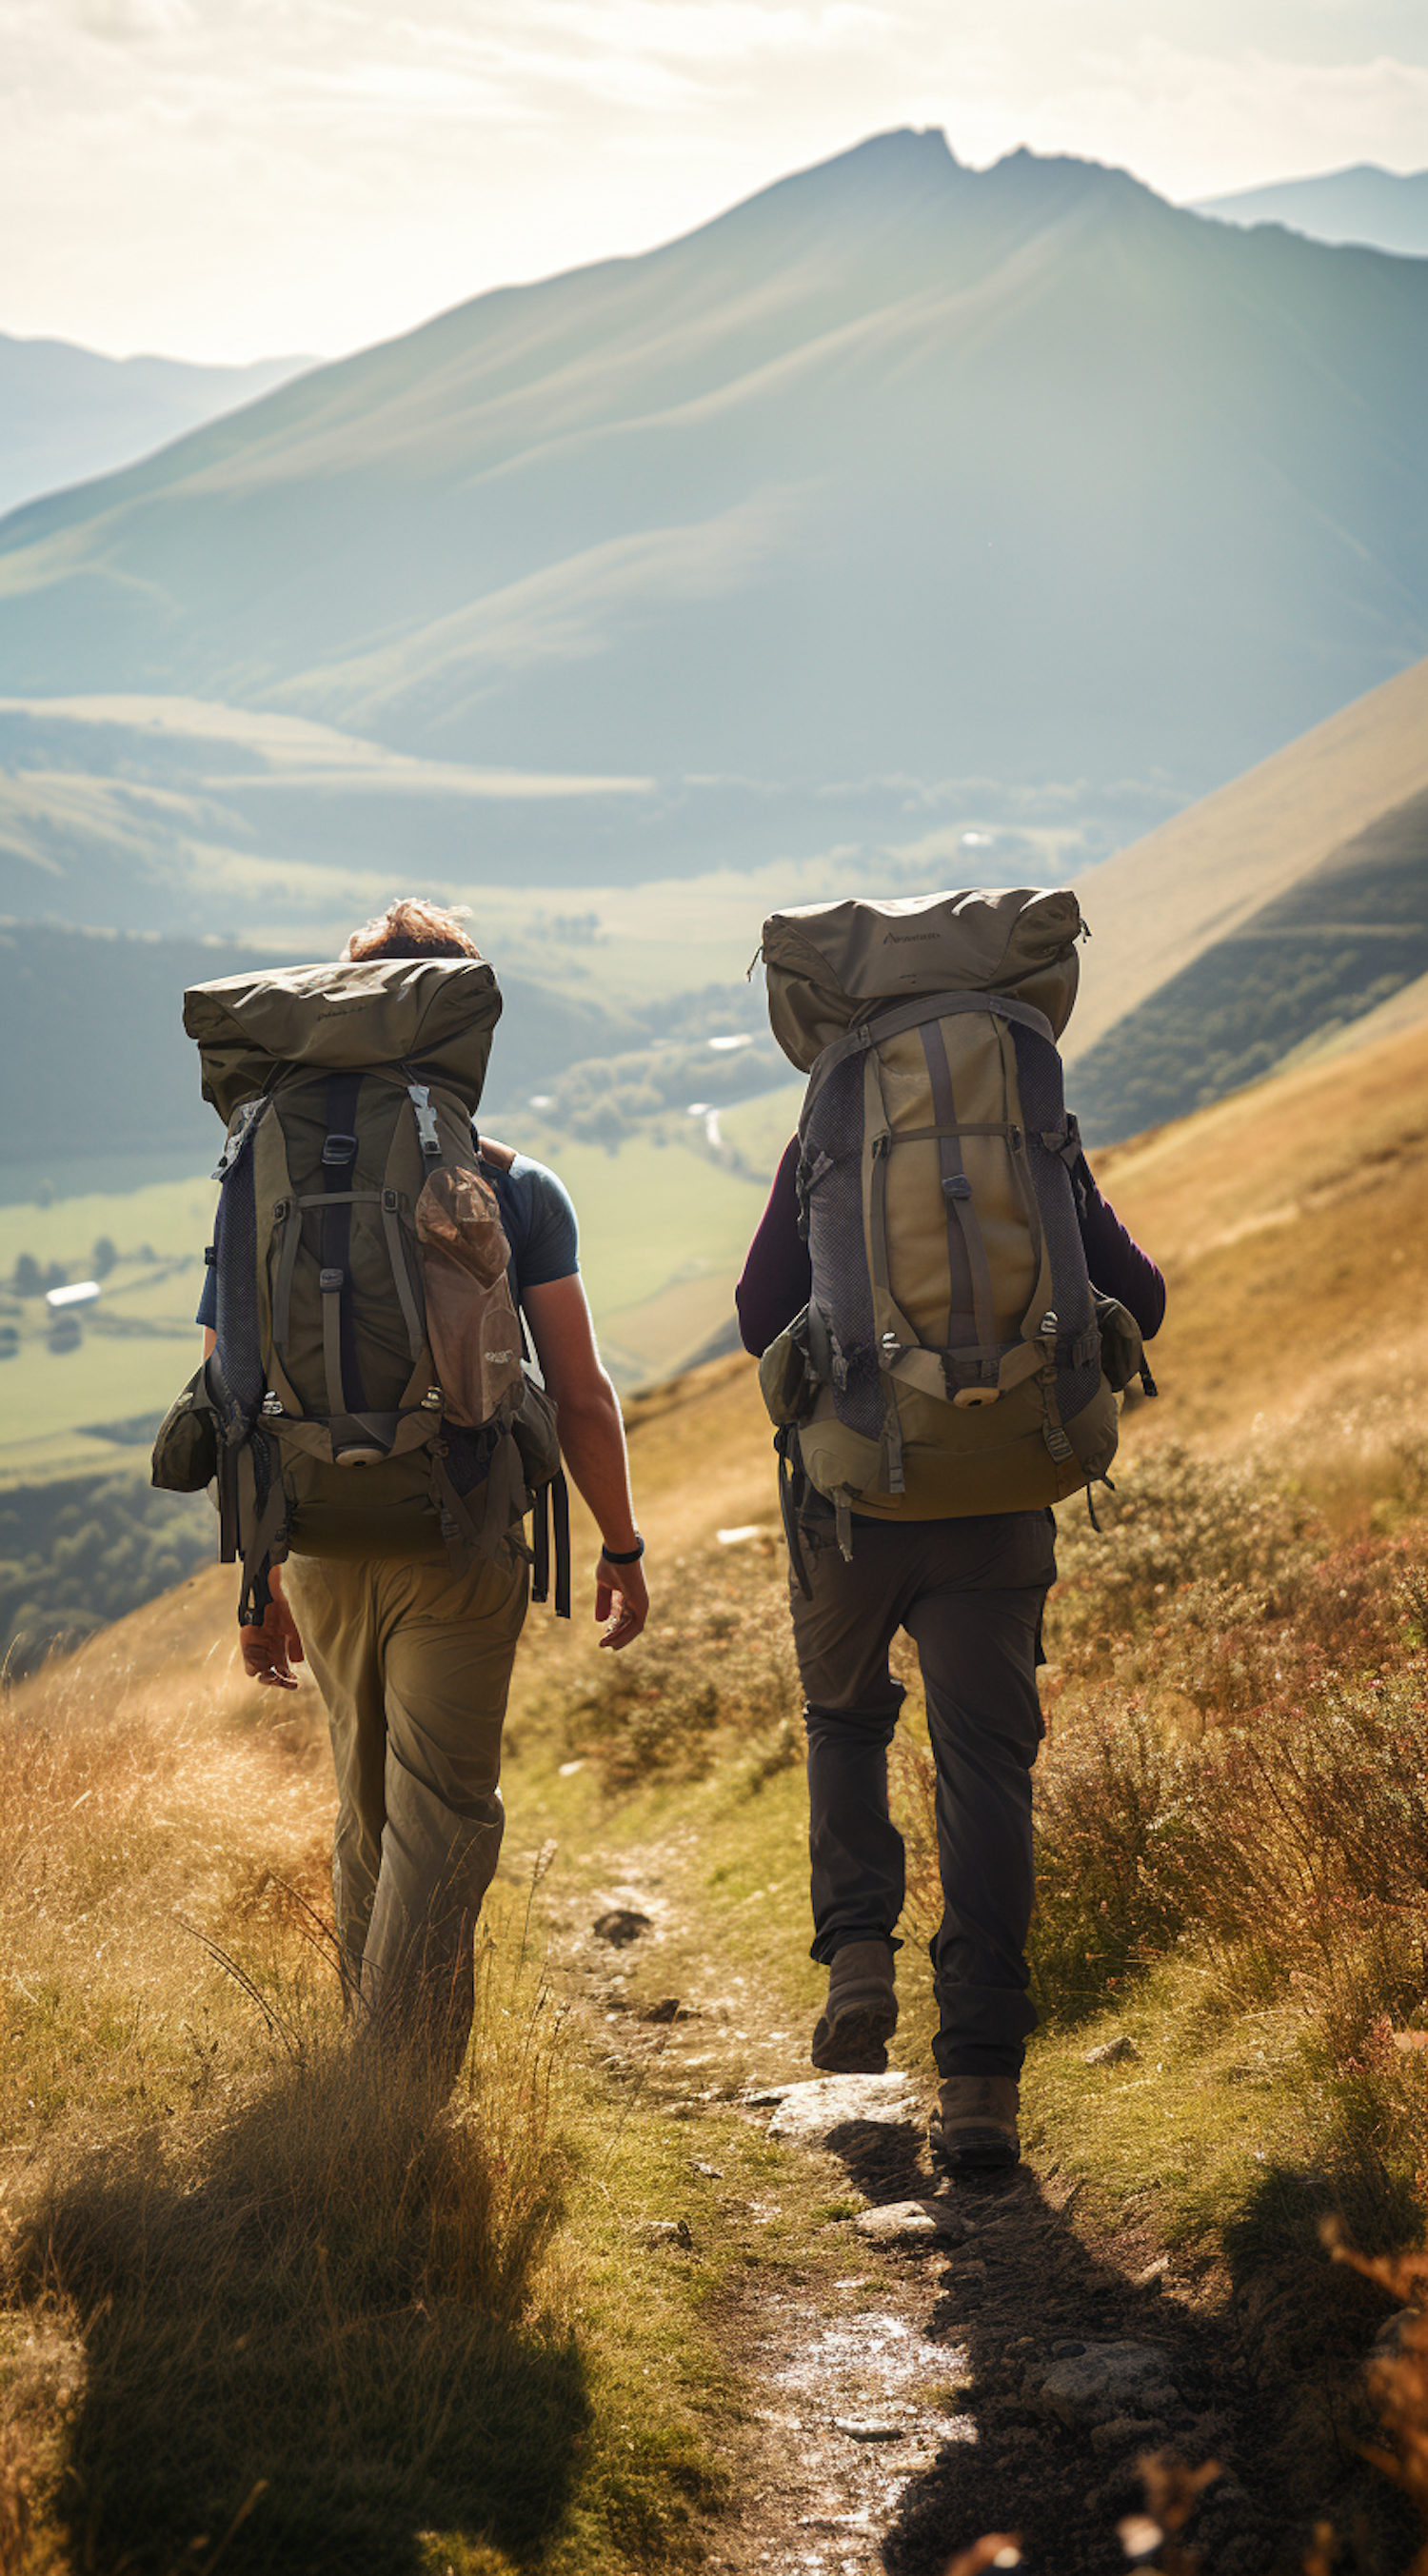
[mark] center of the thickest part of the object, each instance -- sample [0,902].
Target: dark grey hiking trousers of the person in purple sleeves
[970,1596]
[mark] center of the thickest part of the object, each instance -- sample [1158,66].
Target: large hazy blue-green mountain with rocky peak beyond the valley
[896,473]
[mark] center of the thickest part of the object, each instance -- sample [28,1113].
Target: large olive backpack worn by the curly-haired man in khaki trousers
[367,1392]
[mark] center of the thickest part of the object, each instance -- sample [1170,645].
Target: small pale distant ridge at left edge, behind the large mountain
[71,413]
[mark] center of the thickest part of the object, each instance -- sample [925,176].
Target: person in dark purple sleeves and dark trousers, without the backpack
[970,1593]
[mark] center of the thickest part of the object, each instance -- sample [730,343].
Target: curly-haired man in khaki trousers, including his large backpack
[375,1434]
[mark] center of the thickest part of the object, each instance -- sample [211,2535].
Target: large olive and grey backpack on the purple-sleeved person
[955,1356]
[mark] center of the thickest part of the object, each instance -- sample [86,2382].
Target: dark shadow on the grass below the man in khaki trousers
[331,2304]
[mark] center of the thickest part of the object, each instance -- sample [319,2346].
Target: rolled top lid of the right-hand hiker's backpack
[831,965]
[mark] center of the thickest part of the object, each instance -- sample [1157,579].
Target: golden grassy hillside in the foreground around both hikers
[1231,1815]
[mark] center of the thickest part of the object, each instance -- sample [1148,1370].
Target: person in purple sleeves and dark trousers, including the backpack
[921,1292]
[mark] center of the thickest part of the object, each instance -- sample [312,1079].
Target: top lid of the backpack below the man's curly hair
[432,1014]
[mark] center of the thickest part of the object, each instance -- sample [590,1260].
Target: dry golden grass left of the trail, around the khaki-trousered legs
[254,2276]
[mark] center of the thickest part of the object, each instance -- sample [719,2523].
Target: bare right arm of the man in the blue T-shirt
[592,1436]
